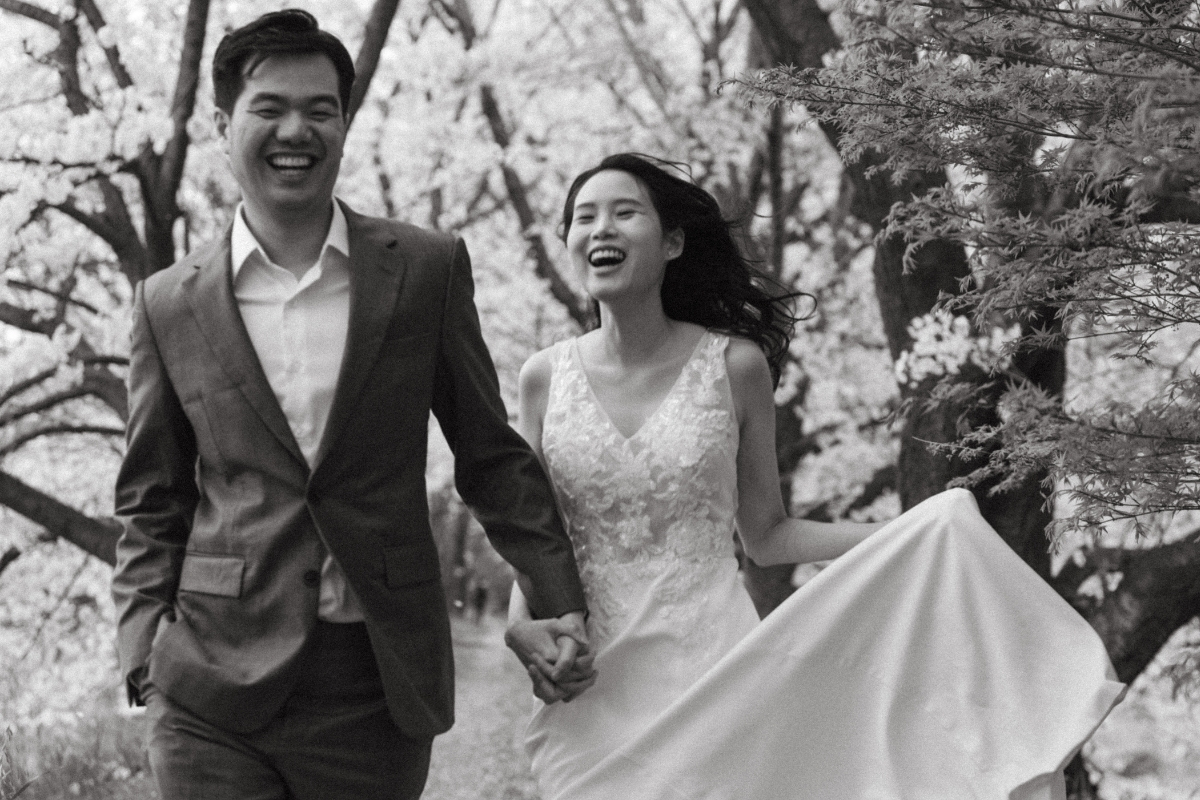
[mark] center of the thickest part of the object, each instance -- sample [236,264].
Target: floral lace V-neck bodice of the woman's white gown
[655,512]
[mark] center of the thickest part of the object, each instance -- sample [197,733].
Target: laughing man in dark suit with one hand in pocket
[278,585]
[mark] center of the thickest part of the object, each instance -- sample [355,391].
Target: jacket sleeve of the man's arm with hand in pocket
[157,498]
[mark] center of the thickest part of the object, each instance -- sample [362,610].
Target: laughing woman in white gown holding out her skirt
[931,663]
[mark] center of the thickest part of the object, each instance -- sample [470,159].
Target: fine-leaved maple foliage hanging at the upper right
[1073,128]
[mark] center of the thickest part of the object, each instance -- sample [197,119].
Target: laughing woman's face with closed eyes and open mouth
[616,239]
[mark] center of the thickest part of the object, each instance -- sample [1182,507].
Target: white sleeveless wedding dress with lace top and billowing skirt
[928,664]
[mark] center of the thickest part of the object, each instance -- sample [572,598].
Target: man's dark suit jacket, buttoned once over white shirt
[218,570]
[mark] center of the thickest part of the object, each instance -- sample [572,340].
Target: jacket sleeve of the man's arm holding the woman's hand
[496,473]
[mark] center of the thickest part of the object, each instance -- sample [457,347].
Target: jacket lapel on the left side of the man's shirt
[215,310]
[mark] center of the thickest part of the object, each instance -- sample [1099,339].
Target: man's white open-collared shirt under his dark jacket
[298,328]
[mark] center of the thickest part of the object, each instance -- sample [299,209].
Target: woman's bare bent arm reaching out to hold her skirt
[769,534]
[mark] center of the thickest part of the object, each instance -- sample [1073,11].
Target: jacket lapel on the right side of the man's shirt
[377,272]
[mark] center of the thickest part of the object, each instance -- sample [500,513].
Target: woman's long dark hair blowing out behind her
[711,284]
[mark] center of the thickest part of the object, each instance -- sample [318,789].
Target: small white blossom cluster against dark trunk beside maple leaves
[943,345]
